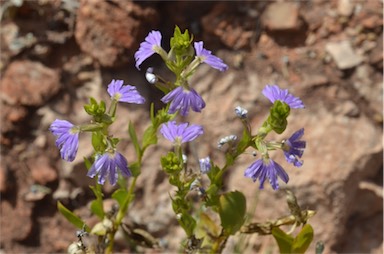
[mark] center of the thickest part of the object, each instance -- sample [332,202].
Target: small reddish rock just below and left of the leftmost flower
[42,173]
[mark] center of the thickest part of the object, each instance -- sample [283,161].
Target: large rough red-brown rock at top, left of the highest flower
[111,31]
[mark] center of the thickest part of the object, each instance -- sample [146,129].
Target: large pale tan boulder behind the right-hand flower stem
[328,182]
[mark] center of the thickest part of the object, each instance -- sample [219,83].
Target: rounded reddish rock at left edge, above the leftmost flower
[29,83]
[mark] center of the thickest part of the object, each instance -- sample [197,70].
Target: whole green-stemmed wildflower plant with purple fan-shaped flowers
[221,214]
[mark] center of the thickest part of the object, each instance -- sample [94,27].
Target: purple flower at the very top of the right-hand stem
[273,92]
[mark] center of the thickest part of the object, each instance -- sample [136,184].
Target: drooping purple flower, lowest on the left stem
[107,164]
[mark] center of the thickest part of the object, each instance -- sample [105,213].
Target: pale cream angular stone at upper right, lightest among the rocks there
[343,54]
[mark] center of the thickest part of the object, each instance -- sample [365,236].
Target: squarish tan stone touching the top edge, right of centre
[281,16]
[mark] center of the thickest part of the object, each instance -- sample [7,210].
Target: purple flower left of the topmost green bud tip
[148,47]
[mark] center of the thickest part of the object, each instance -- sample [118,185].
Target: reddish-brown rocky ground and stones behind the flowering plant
[55,54]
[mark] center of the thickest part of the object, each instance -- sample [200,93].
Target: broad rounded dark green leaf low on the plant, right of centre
[232,210]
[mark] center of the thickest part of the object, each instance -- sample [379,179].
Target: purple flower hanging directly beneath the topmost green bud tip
[183,99]
